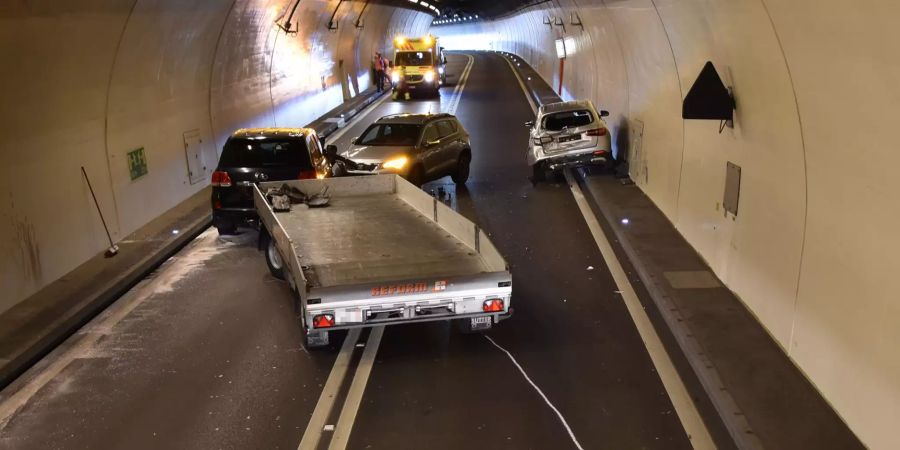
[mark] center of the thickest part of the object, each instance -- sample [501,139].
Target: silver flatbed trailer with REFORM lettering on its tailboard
[382,252]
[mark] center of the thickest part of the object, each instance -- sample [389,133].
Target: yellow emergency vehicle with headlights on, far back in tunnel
[418,66]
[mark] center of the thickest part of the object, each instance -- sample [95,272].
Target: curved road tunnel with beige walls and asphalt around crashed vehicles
[724,283]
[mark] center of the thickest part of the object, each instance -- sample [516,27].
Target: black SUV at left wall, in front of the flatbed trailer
[262,154]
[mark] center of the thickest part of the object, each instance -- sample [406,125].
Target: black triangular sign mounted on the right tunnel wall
[708,98]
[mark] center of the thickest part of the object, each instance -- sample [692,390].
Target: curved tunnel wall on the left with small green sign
[84,82]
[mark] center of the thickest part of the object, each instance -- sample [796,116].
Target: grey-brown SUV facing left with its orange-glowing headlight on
[419,147]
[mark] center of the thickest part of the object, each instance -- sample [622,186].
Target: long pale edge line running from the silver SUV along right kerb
[681,400]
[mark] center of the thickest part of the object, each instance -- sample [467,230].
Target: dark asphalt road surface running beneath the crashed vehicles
[206,352]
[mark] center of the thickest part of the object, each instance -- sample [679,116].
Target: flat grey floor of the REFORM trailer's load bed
[375,238]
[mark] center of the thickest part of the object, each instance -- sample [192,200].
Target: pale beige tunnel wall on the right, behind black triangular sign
[812,251]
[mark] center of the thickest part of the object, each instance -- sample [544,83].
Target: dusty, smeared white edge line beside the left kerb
[80,344]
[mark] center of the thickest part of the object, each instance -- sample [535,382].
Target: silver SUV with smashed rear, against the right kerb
[567,134]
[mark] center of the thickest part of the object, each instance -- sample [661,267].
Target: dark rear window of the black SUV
[265,152]
